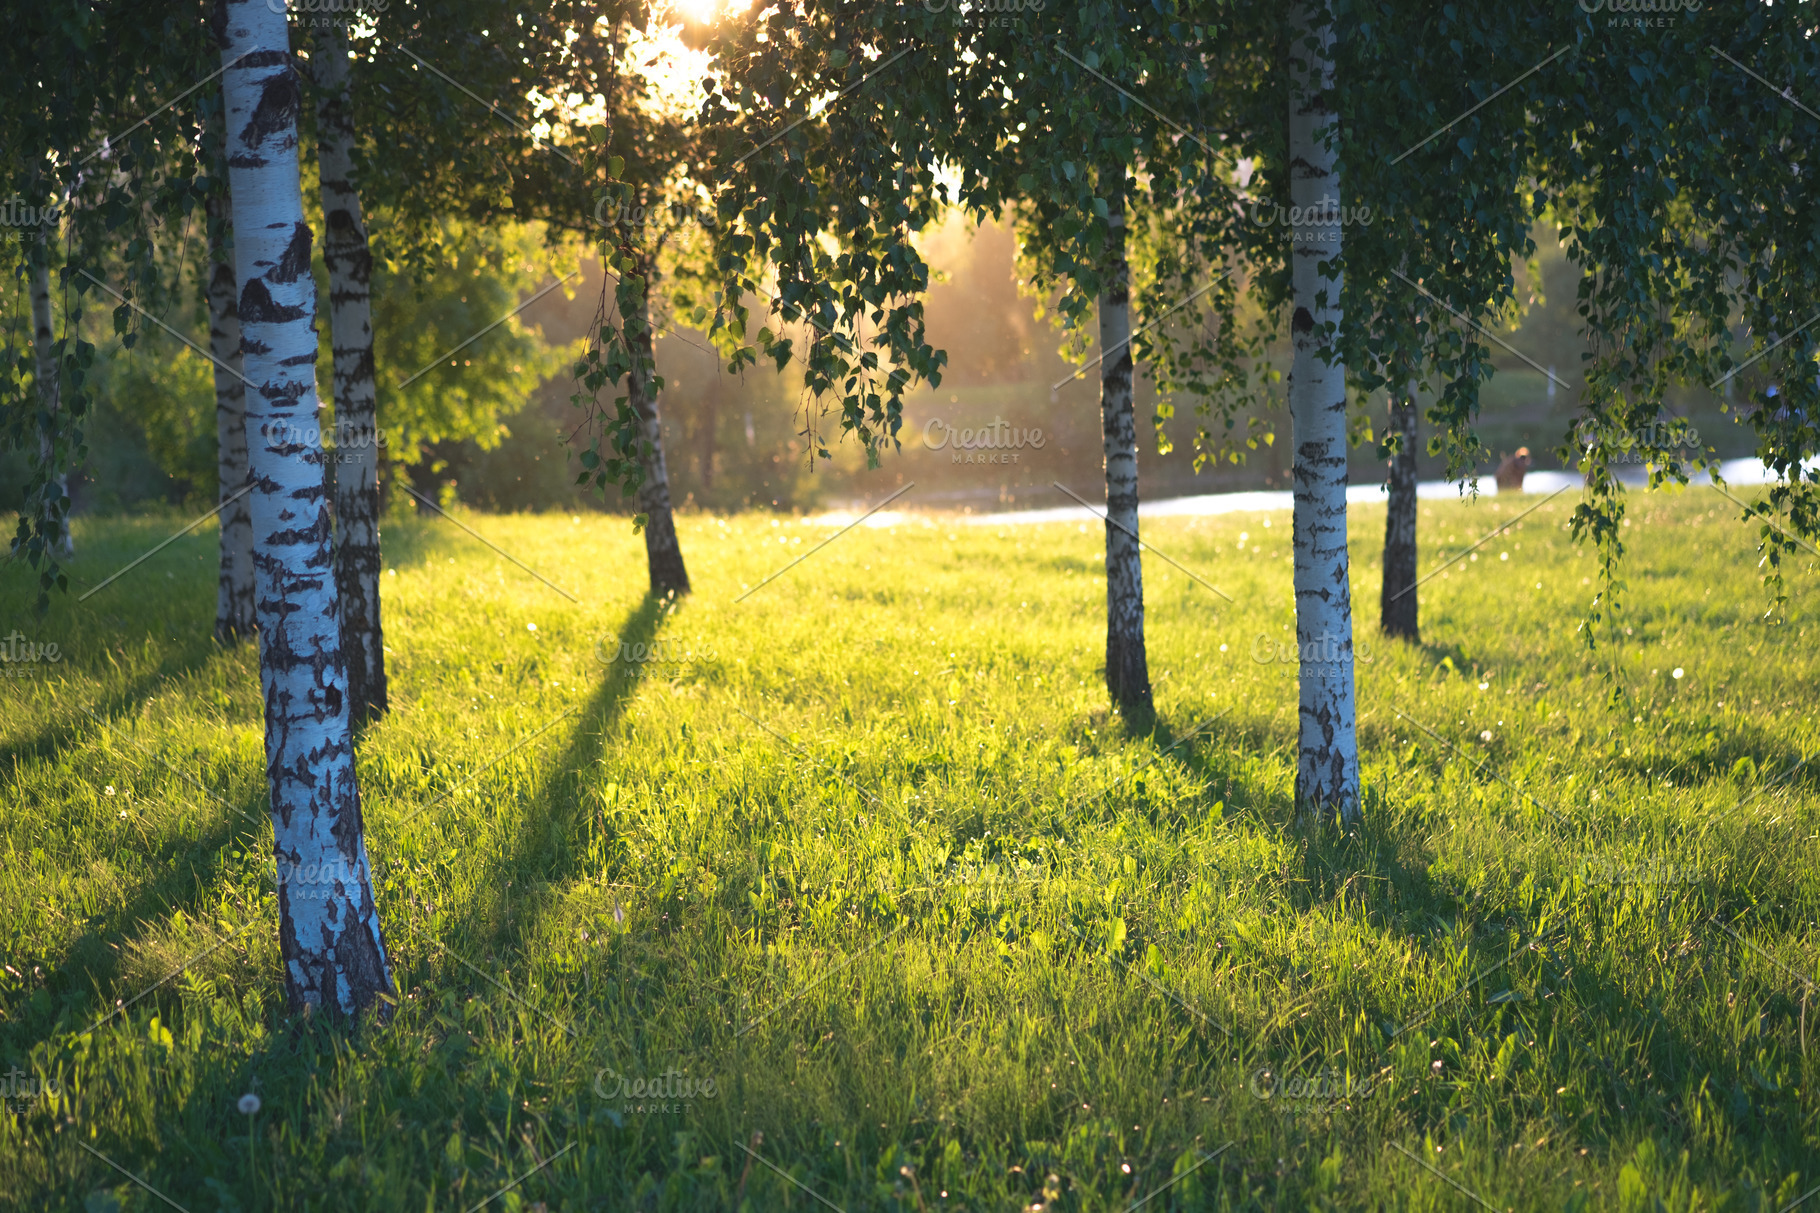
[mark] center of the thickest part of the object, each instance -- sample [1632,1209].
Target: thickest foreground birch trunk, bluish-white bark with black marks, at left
[329,930]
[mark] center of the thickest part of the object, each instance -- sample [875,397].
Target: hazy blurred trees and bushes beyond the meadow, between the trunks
[490,429]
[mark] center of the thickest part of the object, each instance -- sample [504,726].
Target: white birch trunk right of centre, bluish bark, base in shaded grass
[1328,766]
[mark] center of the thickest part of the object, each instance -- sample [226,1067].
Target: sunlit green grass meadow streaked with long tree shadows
[871,853]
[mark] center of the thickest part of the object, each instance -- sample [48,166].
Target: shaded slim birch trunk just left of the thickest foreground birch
[234,596]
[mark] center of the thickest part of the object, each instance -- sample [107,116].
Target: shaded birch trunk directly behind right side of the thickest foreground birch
[350,265]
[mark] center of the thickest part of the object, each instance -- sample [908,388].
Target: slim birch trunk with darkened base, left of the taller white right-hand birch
[1127,669]
